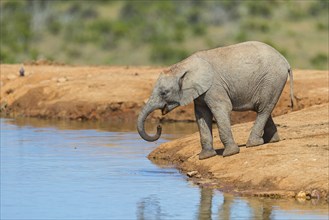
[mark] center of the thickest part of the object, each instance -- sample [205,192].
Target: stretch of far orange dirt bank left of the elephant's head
[68,92]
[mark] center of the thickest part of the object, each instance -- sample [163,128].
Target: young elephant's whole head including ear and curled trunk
[176,86]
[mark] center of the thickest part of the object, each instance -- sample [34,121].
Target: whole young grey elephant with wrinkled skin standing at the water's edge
[241,77]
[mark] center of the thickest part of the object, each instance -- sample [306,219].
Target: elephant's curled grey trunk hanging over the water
[148,109]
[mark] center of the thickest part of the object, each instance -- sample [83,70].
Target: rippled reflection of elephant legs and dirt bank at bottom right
[232,207]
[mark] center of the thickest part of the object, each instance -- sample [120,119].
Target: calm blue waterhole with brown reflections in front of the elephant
[75,170]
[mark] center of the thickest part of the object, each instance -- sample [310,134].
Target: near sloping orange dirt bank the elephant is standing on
[299,162]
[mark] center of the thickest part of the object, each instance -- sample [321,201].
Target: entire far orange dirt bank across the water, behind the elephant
[117,92]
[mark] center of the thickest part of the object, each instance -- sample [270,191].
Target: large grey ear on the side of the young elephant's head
[195,81]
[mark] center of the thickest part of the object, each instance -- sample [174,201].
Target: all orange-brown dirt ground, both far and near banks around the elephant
[300,162]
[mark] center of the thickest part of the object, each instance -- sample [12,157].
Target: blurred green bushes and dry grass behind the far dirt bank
[159,32]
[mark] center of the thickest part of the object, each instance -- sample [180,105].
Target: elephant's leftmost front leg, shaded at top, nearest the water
[204,117]
